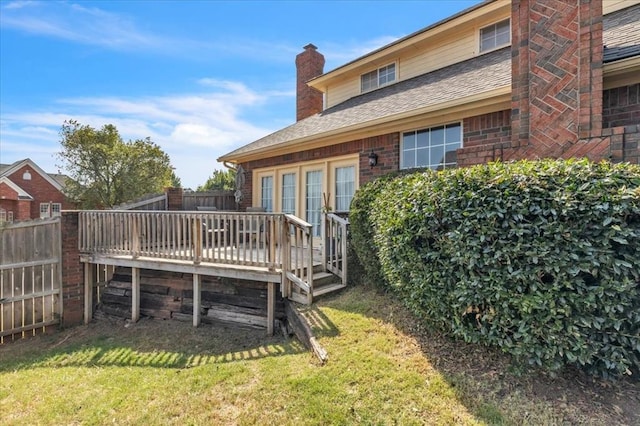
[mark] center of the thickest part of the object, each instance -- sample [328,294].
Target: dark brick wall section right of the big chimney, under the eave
[621,106]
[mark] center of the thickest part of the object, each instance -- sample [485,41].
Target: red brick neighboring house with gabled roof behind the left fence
[28,192]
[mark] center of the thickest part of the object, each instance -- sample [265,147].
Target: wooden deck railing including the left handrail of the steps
[269,240]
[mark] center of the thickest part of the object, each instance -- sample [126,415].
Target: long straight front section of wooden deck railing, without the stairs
[195,236]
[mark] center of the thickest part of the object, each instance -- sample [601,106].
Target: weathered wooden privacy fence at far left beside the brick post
[30,277]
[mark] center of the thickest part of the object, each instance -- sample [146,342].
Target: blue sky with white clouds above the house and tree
[200,78]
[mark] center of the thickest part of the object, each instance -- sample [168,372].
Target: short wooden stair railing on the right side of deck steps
[334,249]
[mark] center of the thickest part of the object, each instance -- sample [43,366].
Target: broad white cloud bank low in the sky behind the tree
[194,129]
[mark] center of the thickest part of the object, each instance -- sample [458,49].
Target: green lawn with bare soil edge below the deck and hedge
[382,369]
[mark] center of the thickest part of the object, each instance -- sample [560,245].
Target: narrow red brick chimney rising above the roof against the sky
[309,64]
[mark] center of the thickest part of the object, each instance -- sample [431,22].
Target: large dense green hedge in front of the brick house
[540,259]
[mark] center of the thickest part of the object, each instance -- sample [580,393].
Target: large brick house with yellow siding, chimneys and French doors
[501,80]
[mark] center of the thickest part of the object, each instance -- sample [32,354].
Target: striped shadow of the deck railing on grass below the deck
[148,343]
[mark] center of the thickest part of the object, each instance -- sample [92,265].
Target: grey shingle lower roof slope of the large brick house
[482,74]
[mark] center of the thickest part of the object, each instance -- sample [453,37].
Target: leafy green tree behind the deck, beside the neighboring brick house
[105,170]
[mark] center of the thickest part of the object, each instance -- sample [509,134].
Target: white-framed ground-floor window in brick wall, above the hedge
[434,147]
